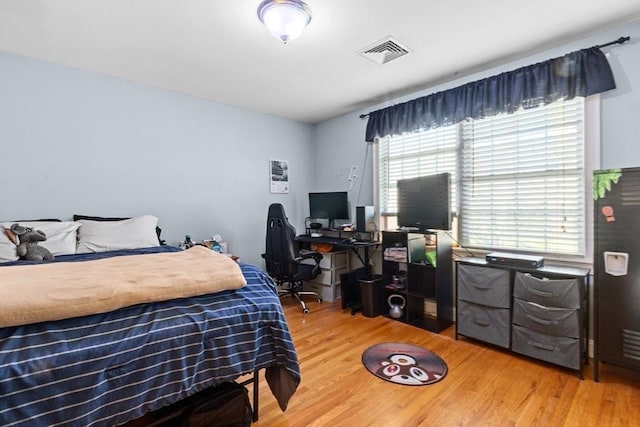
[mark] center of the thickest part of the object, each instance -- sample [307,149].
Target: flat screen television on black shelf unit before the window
[424,203]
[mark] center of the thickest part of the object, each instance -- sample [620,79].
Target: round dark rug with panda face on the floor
[404,364]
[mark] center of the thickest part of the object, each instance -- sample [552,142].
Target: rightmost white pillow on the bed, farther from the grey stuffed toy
[101,236]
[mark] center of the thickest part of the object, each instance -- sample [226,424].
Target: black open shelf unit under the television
[417,273]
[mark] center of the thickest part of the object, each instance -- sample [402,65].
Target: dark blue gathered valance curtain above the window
[581,73]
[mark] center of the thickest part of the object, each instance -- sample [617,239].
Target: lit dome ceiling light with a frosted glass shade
[285,19]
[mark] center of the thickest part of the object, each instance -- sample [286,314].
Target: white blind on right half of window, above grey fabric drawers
[522,180]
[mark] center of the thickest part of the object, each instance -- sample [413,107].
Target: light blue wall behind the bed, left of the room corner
[77,142]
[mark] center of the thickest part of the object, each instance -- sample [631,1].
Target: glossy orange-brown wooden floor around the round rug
[485,386]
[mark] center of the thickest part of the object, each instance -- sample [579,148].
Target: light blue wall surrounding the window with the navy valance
[340,141]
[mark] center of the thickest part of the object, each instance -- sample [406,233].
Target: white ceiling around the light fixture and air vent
[219,50]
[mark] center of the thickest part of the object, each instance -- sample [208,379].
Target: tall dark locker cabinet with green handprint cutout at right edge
[616,268]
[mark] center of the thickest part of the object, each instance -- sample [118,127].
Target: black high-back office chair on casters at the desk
[284,265]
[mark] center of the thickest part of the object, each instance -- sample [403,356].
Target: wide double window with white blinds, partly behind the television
[518,180]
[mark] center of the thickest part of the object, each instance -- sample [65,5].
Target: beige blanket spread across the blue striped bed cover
[37,293]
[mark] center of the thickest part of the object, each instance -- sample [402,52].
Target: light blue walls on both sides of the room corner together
[77,142]
